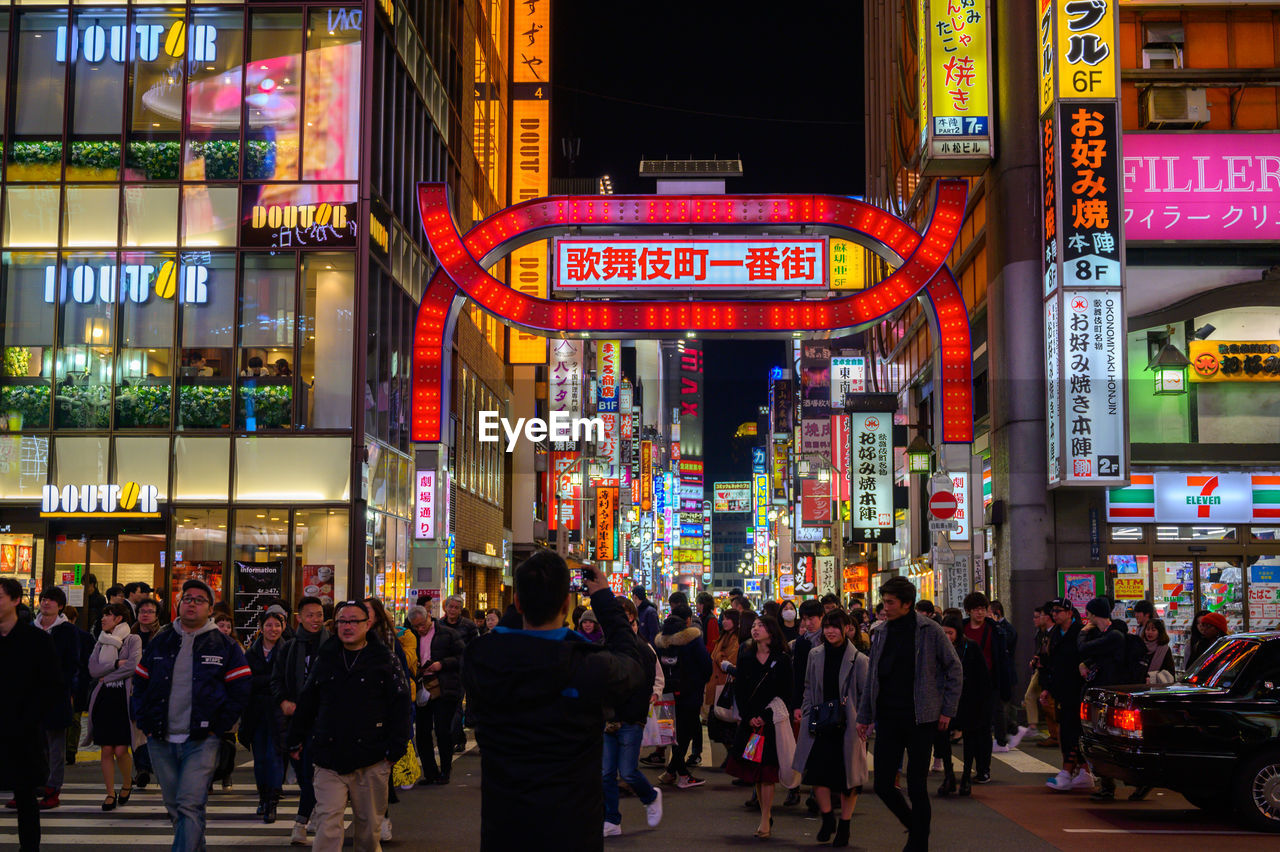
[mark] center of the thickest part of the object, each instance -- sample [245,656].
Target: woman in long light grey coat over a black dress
[830,753]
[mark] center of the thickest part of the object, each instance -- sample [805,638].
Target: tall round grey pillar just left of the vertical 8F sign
[1025,552]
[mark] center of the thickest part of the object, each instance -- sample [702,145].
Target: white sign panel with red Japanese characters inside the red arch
[684,263]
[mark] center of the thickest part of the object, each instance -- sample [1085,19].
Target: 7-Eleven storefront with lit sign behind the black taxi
[1199,540]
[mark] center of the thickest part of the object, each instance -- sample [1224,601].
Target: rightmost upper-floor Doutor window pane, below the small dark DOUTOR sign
[327,329]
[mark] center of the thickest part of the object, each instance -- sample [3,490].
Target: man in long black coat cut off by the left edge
[34,684]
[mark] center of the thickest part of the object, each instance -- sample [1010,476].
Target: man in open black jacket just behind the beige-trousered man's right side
[435,654]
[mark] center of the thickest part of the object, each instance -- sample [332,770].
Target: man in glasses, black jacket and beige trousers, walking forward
[355,708]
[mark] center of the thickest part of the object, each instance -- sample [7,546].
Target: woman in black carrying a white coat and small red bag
[762,675]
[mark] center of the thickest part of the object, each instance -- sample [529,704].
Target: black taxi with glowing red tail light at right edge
[1214,736]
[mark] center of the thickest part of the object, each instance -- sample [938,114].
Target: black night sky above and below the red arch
[778,85]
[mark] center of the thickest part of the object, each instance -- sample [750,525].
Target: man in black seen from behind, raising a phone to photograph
[538,698]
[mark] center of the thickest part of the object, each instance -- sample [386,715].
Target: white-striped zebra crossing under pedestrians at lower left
[80,821]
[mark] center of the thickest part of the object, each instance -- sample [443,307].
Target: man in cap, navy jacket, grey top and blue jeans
[190,689]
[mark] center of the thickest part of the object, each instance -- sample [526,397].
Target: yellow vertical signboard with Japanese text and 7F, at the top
[957,66]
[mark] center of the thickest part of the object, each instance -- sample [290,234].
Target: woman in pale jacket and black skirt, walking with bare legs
[117,654]
